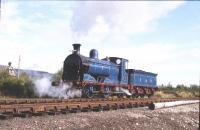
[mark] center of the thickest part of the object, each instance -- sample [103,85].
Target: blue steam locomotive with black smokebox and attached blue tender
[106,77]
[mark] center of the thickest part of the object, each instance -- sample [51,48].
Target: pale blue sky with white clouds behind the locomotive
[161,37]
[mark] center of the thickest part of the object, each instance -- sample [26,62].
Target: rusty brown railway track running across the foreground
[29,107]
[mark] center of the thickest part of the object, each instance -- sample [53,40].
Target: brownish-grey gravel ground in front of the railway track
[176,118]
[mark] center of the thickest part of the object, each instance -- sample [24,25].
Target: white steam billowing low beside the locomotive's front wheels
[43,87]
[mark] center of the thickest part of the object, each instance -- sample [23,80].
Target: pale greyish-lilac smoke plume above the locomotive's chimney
[86,13]
